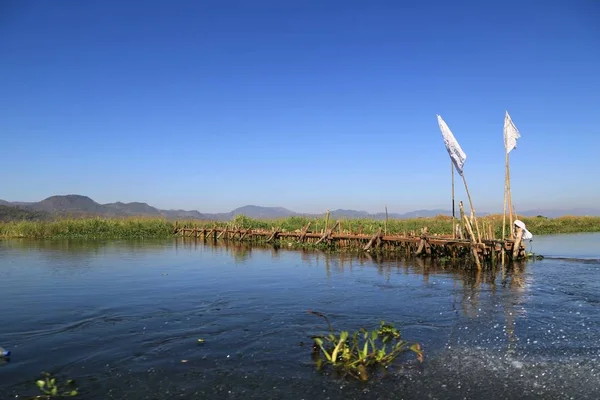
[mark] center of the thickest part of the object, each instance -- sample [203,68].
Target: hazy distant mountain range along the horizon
[77,205]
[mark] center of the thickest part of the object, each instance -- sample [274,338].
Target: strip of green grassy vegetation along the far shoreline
[144,227]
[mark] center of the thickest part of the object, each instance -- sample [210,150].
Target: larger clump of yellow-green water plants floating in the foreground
[357,355]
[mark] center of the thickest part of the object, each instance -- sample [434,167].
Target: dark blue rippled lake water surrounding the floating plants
[123,319]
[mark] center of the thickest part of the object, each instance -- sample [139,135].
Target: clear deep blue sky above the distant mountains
[211,105]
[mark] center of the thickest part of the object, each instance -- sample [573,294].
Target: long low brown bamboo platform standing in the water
[423,244]
